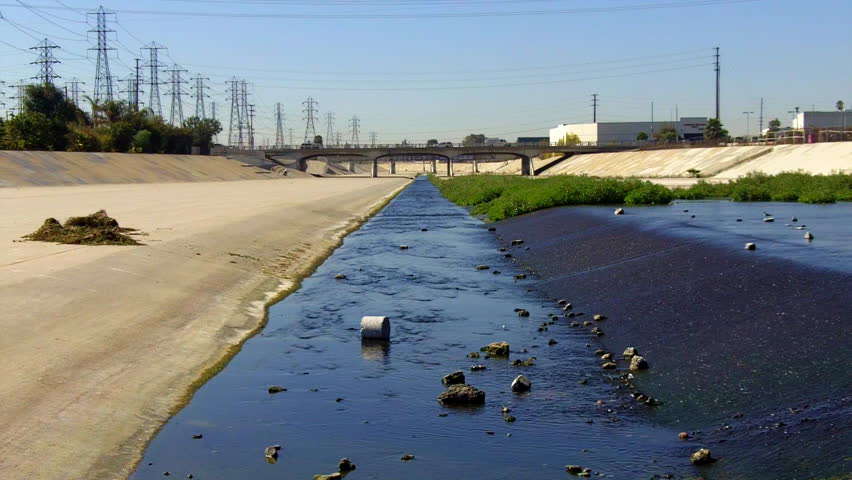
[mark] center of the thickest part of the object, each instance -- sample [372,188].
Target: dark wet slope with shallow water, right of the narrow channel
[749,351]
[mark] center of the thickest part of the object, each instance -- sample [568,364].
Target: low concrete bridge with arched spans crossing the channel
[476,154]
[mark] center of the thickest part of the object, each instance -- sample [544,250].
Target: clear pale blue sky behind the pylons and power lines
[417,69]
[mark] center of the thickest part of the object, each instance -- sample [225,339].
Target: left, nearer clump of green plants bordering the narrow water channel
[502,197]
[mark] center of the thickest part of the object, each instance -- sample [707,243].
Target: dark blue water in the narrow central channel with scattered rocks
[442,308]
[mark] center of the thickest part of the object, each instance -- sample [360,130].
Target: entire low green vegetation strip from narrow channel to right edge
[502,197]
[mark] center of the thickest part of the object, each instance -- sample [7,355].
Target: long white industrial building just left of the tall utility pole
[604,133]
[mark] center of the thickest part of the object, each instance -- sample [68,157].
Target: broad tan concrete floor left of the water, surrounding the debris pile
[100,344]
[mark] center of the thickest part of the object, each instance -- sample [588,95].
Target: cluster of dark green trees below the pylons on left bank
[48,120]
